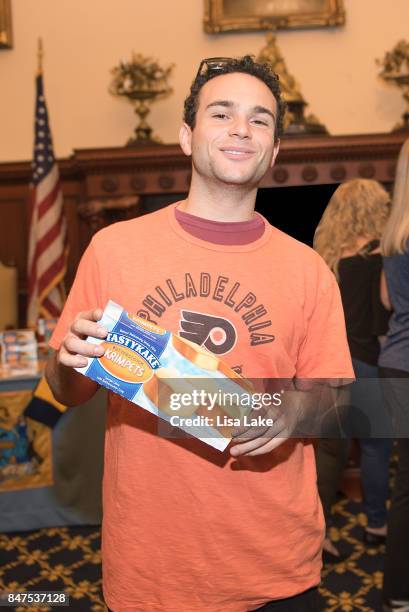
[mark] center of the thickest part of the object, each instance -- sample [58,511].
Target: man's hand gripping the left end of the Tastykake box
[74,347]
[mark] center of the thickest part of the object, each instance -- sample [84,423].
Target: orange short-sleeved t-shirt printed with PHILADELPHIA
[186,527]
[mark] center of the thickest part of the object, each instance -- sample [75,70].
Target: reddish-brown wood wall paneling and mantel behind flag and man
[160,173]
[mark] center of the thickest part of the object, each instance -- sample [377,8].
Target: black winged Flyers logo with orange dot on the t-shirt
[216,334]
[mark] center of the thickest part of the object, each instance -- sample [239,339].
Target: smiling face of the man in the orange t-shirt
[233,138]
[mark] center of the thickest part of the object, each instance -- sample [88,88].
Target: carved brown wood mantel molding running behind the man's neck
[158,169]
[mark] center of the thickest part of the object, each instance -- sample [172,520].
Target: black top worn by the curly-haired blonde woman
[365,316]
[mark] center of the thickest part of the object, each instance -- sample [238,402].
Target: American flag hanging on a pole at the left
[47,256]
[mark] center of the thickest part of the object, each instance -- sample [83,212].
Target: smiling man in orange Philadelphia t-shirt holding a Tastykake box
[187,528]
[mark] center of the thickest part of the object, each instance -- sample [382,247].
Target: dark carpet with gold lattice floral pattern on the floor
[69,559]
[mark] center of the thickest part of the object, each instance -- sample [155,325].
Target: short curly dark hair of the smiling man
[247,65]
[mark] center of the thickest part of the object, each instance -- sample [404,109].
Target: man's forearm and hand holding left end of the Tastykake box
[68,386]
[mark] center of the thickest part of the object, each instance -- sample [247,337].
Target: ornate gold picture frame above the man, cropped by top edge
[245,15]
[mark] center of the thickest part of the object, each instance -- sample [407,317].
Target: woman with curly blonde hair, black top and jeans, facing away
[348,239]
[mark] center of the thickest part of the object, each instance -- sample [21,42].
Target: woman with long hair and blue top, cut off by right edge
[394,370]
